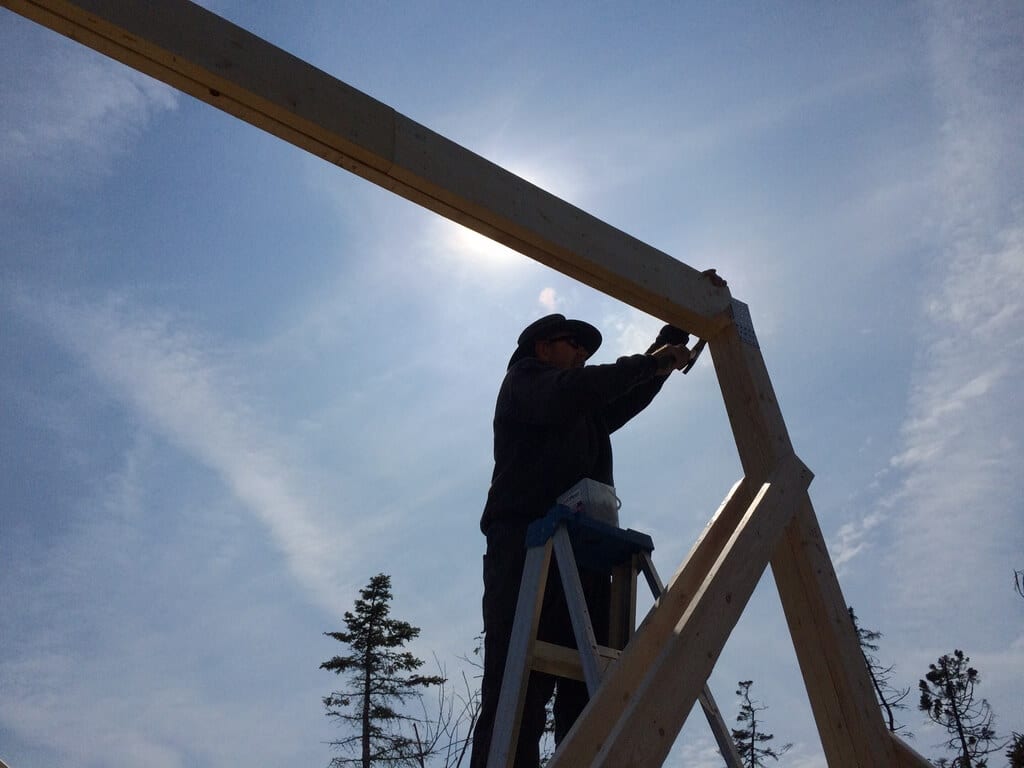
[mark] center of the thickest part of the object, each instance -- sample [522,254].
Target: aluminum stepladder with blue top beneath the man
[574,539]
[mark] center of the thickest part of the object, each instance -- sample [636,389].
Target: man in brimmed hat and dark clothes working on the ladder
[553,422]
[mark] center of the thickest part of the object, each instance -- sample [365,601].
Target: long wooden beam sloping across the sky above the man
[214,60]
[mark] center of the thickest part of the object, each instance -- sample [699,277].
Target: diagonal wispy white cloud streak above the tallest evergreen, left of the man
[185,389]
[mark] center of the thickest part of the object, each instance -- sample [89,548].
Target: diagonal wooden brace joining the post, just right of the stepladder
[634,720]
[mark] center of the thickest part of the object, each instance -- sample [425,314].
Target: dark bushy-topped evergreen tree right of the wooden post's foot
[948,697]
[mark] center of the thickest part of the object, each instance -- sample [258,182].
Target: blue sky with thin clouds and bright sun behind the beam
[237,382]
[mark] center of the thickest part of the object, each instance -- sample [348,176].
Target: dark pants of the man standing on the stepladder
[503,566]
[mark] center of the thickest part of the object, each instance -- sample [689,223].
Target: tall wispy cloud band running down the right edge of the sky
[957,479]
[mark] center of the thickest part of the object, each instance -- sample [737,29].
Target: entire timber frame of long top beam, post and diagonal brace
[766,519]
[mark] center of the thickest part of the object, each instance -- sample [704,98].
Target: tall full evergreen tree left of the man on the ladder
[382,679]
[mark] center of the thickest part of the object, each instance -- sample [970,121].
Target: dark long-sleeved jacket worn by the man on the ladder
[552,430]
